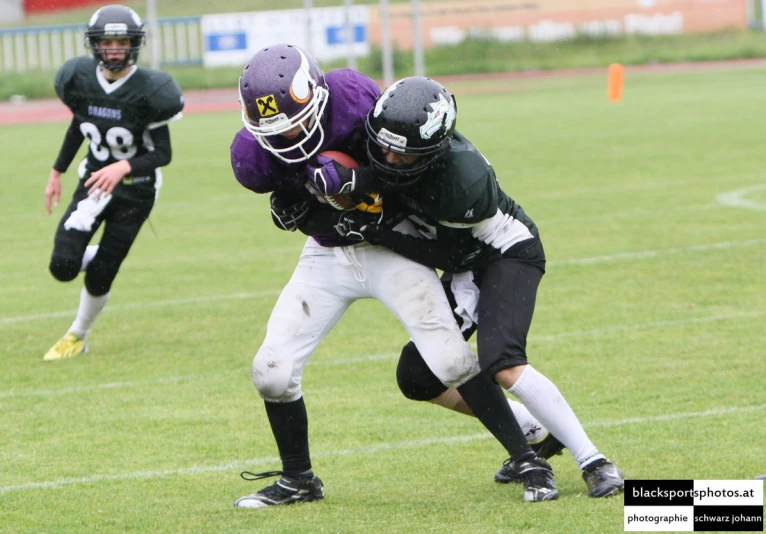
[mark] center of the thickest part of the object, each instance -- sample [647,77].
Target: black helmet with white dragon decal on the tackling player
[413,117]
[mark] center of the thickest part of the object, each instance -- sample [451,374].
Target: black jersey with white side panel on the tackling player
[458,201]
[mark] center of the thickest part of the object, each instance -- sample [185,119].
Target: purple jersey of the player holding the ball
[352,95]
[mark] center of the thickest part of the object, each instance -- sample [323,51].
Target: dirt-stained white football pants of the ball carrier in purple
[325,283]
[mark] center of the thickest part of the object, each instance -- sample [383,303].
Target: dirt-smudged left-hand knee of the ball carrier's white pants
[272,375]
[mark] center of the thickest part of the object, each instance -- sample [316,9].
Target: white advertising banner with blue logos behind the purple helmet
[231,39]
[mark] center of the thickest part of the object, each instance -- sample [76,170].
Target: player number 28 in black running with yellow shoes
[123,110]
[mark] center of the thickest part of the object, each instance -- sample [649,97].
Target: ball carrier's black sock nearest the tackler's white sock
[490,406]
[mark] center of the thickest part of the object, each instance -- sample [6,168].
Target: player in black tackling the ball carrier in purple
[434,175]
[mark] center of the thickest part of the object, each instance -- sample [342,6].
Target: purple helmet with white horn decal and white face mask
[283,94]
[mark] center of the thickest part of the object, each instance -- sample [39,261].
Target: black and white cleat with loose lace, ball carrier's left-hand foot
[284,491]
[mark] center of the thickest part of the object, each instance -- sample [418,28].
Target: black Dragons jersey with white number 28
[116,118]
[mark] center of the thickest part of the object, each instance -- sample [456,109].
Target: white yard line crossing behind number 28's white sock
[274,292]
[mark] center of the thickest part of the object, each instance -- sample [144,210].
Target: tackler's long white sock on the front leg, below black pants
[545,402]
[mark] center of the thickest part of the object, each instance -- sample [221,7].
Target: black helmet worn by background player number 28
[120,22]
